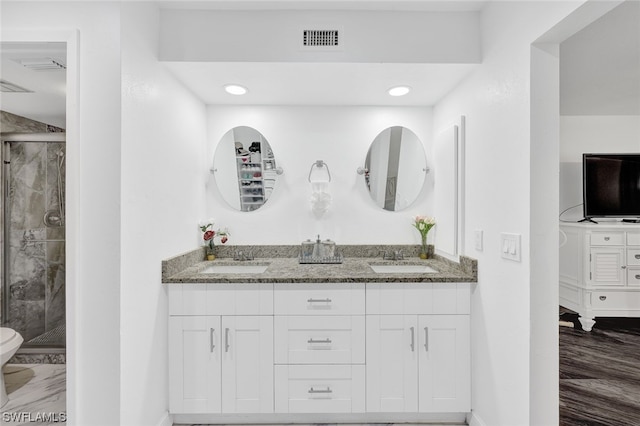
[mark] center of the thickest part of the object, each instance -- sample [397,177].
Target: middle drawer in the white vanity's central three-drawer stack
[319,339]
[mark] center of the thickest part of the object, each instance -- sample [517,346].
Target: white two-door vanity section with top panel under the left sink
[221,348]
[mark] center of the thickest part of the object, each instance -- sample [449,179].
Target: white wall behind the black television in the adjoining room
[596,134]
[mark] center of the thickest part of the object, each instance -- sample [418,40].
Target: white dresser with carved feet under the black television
[600,270]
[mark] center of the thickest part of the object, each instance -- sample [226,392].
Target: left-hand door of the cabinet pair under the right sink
[392,363]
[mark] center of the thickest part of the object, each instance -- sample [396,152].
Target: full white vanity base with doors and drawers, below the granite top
[338,349]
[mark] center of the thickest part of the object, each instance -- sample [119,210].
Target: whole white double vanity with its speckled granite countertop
[272,340]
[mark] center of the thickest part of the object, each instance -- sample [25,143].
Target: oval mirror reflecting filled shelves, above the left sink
[244,168]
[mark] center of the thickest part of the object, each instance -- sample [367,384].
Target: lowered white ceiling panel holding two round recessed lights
[319,83]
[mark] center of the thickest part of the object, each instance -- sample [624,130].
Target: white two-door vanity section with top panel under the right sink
[418,347]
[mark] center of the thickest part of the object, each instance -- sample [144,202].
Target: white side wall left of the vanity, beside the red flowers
[163,176]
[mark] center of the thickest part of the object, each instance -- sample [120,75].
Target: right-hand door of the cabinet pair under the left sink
[247,364]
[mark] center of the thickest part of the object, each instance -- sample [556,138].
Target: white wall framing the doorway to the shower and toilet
[93,198]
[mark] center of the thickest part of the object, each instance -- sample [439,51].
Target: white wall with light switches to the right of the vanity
[496,103]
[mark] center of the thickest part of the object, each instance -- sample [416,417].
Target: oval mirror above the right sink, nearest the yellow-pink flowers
[395,168]
